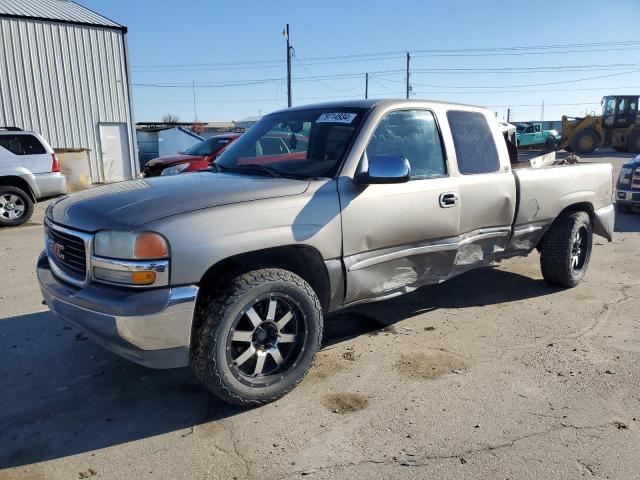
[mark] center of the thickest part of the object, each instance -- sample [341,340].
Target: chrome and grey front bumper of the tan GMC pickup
[148,327]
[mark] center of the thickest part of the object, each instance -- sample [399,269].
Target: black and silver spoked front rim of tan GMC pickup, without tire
[266,340]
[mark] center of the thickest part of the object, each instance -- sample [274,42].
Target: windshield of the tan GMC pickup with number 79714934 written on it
[298,143]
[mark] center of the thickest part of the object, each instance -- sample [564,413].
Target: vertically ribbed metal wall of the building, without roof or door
[62,80]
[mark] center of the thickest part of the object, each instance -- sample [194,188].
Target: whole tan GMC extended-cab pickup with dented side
[231,269]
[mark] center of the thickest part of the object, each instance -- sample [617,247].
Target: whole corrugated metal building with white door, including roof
[64,73]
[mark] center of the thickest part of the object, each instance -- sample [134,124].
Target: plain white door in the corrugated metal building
[116,160]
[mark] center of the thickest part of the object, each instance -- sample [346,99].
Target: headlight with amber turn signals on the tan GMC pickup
[130,258]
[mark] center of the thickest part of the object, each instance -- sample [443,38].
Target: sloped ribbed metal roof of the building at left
[61,10]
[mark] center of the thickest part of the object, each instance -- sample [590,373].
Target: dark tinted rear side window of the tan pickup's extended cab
[475,147]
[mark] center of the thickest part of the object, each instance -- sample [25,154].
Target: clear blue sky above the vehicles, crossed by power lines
[217,44]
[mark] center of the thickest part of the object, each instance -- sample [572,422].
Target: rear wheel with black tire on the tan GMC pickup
[561,261]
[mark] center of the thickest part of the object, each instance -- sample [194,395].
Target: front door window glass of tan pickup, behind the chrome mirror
[412,134]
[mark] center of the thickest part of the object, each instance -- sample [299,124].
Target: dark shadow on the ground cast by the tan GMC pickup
[63,395]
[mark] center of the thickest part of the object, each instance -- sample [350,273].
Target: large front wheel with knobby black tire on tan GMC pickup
[222,311]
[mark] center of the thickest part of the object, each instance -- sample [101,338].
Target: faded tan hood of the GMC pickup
[129,205]
